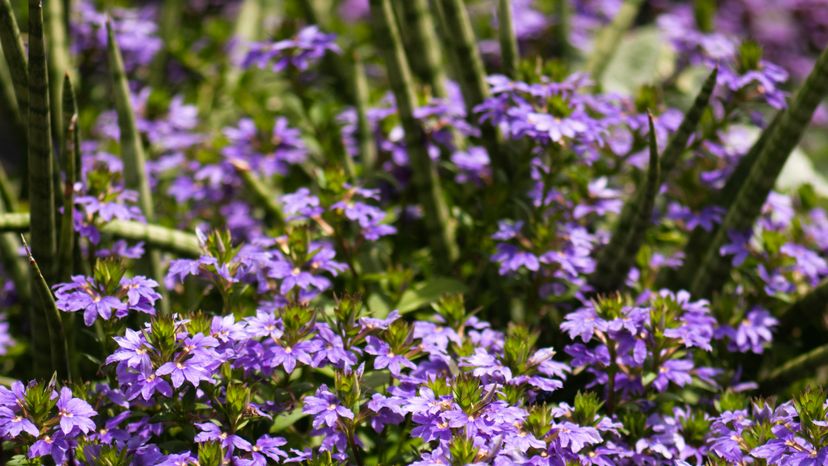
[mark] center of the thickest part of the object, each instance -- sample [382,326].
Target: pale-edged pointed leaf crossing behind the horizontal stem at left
[132,149]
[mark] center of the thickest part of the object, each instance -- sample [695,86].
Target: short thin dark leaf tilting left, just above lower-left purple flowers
[58,346]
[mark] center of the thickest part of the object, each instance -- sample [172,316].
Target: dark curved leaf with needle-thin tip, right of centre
[636,217]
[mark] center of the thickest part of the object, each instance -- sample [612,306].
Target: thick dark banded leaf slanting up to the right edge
[769,160]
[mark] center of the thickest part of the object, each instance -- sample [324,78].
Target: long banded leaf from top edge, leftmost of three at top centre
[426,181]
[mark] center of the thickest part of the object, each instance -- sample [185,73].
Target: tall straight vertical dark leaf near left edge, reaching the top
[41,187]
